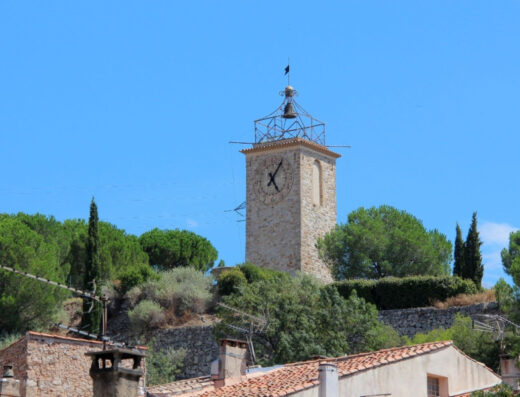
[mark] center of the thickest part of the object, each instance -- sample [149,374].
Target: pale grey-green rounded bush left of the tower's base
[178,291]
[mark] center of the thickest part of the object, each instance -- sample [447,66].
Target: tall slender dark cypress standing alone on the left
[91,310]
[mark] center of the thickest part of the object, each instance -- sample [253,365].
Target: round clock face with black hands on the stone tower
[273,179]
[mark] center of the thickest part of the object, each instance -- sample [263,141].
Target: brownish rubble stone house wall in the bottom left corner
[51,365]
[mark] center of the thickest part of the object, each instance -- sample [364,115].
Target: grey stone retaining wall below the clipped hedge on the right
[424,319]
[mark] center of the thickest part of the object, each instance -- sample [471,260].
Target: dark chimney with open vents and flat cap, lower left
[110,375]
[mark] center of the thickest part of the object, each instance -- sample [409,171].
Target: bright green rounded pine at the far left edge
[24,303]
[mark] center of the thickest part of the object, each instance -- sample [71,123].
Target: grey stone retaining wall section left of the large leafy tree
[201,346]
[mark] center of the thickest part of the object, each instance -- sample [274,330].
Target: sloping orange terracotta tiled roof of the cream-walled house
[299,376]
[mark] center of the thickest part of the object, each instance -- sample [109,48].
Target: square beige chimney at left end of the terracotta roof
[231,362]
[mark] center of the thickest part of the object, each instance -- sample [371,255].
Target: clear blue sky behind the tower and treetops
[135,102]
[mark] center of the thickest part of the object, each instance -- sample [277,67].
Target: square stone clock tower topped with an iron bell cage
[291,191]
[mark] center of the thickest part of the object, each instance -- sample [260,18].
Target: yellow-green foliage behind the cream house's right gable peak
[481,346]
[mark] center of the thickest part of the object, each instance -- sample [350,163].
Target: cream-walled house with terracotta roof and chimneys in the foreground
[431,369]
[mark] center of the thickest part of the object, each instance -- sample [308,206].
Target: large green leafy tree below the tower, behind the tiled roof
[304,319]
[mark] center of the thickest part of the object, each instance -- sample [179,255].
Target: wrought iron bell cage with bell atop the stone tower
[289,120]
